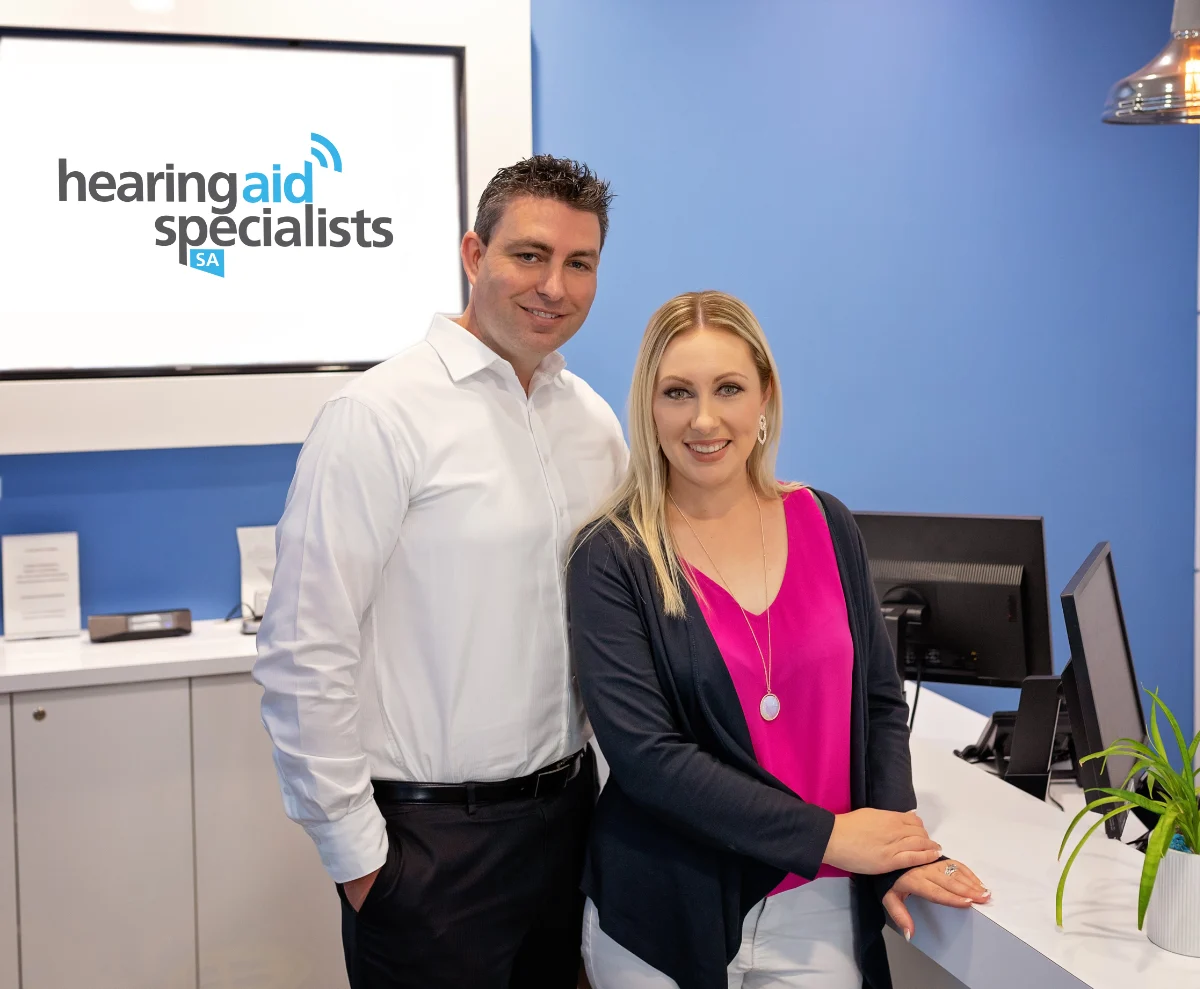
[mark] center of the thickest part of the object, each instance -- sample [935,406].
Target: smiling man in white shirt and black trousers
[428,730]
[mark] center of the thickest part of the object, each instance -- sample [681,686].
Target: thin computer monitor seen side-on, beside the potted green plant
[1100,684]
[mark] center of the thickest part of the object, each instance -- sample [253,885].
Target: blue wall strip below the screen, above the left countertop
[157,528]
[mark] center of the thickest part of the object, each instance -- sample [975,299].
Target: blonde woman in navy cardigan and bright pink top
[739,676]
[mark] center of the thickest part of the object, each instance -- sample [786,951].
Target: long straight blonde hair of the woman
[639,508]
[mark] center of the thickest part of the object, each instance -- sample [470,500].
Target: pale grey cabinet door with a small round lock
[104,798]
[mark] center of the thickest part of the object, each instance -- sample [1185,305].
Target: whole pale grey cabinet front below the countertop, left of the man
[143,846]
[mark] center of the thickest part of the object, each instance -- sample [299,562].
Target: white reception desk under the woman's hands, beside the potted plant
[1011,841]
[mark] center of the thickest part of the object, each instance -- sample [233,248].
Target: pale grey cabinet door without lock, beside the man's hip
[267,913]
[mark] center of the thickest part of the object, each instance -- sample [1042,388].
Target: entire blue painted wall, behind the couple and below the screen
[982,299]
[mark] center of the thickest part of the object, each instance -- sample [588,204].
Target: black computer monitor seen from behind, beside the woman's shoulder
[965,596]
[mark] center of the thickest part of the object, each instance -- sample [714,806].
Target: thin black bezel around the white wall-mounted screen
[185,371]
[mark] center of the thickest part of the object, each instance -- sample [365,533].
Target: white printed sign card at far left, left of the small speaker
[41,585]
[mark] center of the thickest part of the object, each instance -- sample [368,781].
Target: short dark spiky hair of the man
[545,178]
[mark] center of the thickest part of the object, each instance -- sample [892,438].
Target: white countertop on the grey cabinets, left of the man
[50,664]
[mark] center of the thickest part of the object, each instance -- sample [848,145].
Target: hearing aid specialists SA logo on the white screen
[193,233]
